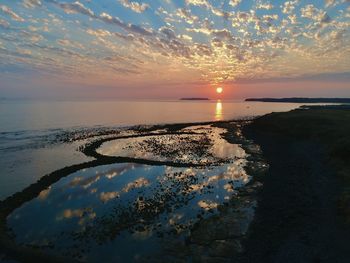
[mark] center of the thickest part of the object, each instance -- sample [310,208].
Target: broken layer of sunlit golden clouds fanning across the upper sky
[199,41]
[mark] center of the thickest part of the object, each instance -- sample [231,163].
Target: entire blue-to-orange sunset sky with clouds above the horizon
[174,48]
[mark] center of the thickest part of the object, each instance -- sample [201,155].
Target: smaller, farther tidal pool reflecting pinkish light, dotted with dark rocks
[205,146]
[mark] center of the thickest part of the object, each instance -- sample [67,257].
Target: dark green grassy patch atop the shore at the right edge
[329,126]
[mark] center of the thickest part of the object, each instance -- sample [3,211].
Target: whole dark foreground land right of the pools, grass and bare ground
[303,210]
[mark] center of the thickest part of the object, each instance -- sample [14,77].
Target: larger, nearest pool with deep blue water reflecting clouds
[127,207]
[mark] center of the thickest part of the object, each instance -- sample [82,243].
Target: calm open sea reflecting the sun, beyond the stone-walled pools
[29,129]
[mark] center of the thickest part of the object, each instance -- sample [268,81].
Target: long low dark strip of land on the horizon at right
[302,100]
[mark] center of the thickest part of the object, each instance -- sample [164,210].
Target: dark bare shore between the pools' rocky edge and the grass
[296,219]
